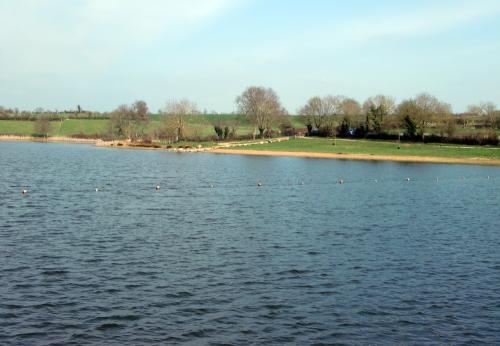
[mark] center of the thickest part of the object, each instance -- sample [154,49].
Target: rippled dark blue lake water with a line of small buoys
[365,262]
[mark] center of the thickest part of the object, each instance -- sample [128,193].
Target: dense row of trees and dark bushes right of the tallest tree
[381,117]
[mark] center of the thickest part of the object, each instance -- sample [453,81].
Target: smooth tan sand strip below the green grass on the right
[364,157]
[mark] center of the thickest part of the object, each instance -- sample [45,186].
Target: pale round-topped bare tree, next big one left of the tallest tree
[174,117]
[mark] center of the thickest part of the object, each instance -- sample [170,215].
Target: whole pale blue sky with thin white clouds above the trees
[56,54]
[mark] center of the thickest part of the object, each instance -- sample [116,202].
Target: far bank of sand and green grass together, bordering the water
[342,149]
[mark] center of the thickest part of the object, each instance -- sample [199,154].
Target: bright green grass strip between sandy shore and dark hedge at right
[371,147]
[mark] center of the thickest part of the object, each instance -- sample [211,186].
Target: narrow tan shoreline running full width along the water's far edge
[226,150]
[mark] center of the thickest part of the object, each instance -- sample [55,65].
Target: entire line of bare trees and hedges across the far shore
[327,116]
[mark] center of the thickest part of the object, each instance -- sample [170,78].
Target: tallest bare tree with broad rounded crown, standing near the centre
[262,108]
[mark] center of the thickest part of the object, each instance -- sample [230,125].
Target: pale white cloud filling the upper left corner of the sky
[58,37]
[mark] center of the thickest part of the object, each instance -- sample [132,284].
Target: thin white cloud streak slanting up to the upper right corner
[421,22]
